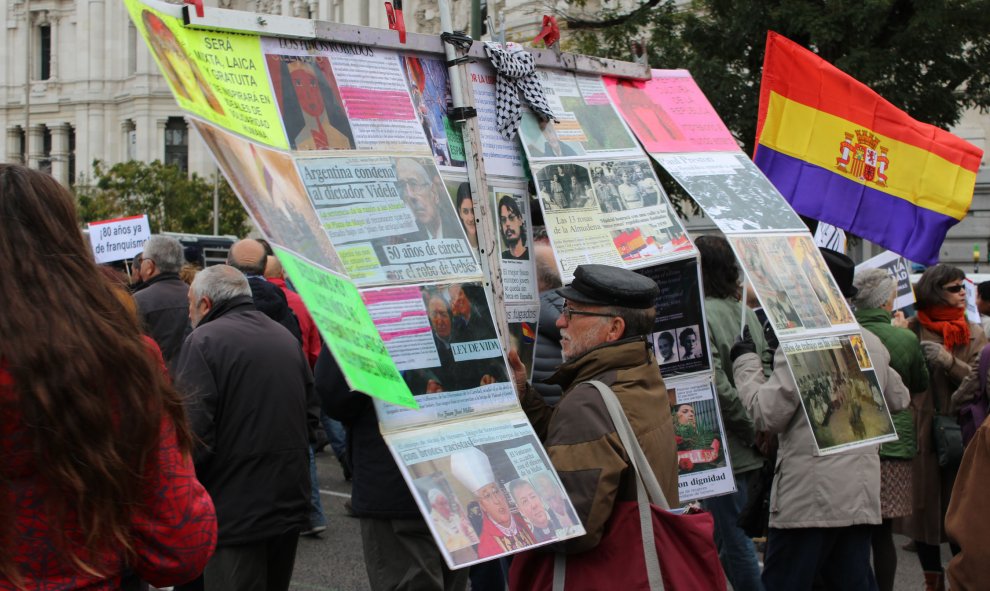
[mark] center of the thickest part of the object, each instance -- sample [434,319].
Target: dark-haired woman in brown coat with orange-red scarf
[952,347]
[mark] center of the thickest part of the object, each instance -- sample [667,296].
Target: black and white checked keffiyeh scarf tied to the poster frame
[516,70]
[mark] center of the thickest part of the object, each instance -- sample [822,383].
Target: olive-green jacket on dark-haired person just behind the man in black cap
[723,328]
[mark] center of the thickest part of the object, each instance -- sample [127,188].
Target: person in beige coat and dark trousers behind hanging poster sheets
[821,507]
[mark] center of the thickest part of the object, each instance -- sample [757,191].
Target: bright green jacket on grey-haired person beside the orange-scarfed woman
[908,361]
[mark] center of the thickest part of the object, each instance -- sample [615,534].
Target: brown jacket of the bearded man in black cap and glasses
[581,440]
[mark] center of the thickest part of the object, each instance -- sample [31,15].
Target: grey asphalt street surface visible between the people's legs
[333,561]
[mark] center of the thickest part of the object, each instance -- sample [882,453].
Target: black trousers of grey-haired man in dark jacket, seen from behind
[260,566]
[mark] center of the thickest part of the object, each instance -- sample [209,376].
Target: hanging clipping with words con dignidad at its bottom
[703,466]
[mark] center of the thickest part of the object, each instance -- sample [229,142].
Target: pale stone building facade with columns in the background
[77,84]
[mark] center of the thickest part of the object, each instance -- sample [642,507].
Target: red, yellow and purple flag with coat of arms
[842,154]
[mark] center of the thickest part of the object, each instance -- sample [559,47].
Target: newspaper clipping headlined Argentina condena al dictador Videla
[390,218]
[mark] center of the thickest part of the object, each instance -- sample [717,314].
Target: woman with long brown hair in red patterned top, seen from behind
[95,471]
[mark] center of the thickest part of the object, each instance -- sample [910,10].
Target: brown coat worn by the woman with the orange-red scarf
[931,485]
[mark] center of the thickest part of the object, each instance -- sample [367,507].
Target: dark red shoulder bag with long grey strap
[645,546]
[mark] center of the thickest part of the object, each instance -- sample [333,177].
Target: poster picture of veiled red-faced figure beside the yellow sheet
[310,103]
